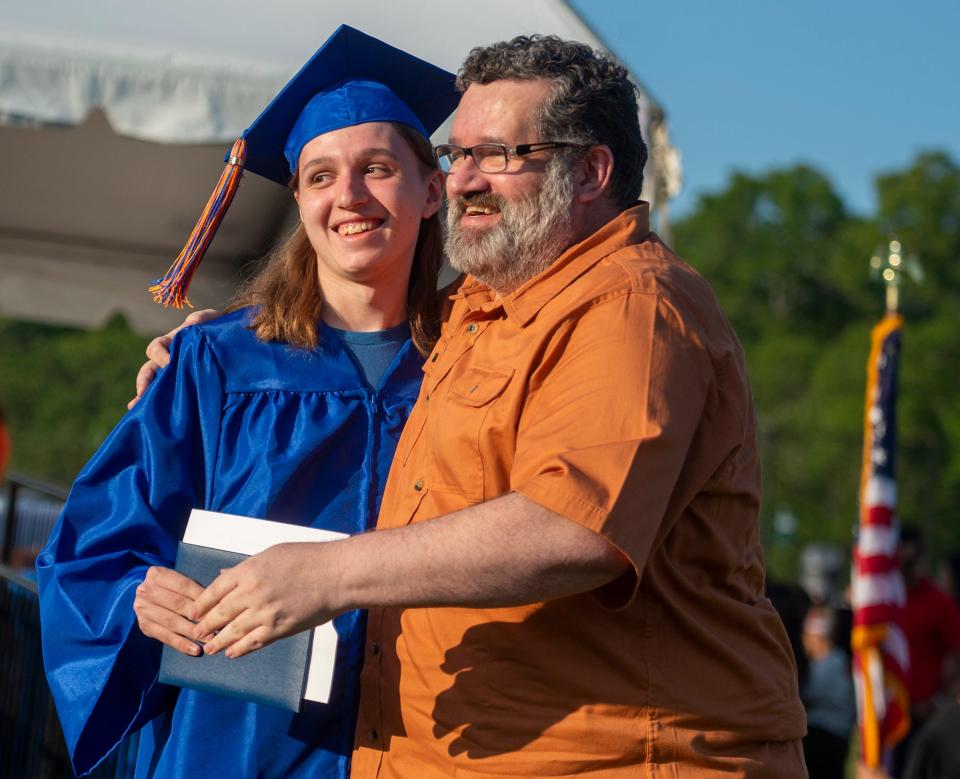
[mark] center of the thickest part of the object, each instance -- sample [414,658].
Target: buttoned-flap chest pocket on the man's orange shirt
[465,434]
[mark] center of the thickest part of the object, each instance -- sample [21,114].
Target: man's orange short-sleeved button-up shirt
[611,390]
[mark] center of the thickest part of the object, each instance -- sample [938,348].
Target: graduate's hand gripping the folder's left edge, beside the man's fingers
[163,604]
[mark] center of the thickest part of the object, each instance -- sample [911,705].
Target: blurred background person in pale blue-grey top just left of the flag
[828,696]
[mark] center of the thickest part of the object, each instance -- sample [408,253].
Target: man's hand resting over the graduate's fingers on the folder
[281,591]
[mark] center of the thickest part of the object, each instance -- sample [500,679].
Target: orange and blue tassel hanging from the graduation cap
[171,290]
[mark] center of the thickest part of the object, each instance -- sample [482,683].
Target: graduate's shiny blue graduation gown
[238,426]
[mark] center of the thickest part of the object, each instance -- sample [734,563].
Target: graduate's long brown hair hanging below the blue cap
[286,290]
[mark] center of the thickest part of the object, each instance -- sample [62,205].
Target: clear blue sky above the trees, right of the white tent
[851,87]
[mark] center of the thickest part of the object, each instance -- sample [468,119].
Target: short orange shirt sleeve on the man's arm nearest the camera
[610,421]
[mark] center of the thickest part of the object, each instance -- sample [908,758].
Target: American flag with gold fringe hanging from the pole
[880,656]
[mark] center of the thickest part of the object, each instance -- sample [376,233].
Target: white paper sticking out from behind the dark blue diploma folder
[246,535]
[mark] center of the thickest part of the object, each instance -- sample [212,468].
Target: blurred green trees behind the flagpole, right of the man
[789,265]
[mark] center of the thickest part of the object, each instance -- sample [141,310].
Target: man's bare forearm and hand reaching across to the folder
[505,552]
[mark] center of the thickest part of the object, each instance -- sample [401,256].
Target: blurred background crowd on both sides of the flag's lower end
[819,621]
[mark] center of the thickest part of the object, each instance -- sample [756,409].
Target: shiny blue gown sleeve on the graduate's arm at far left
[126,512]
